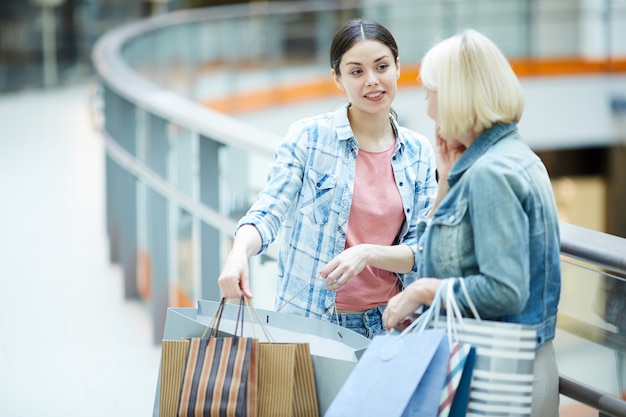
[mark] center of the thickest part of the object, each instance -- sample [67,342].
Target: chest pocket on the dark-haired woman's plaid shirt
[317,196]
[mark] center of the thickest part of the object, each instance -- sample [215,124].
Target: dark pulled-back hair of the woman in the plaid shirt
[359,30]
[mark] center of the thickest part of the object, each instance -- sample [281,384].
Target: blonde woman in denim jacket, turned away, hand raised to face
[494,223]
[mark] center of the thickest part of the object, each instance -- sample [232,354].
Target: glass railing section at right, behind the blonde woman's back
[591,328]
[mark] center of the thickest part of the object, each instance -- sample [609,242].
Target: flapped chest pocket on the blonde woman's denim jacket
[452,239]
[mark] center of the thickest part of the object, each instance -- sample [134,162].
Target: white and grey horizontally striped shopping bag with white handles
[502,379]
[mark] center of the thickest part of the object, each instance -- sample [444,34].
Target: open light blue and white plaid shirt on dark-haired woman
[309,192]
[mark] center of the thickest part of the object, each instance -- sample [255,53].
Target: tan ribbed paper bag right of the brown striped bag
[286,381]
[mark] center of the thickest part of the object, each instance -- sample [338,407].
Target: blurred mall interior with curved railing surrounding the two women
[117,161]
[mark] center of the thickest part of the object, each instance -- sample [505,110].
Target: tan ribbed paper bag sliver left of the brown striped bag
[173,359]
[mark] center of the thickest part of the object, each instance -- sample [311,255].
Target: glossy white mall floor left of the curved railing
[70,345]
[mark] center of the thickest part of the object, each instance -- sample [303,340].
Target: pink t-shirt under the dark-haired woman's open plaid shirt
[376,216]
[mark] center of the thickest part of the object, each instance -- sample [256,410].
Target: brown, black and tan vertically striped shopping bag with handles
[221,375]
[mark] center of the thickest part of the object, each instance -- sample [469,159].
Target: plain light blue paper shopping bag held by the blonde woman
[398,375]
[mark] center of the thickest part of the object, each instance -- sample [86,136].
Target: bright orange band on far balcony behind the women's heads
[324,87]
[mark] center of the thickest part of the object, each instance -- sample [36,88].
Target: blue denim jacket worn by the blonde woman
[497,228]
